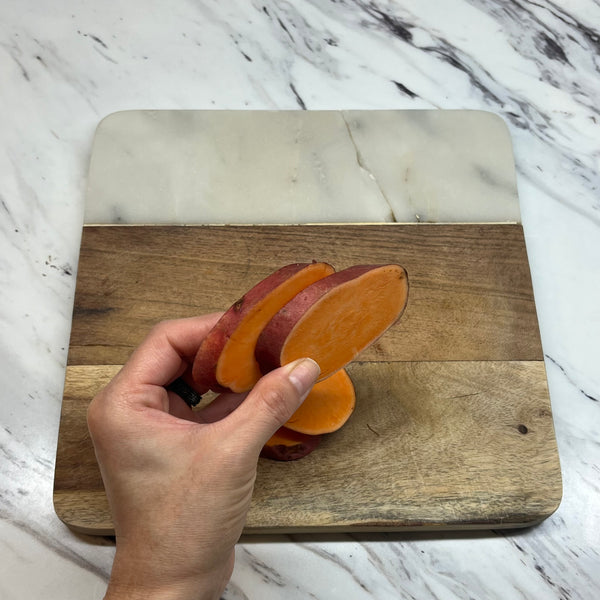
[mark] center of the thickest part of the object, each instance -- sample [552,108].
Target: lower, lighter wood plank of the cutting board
[430,445]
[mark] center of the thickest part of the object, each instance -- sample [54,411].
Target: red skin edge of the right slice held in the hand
[274,335]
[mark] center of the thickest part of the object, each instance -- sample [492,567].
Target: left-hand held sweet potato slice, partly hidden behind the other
[225,359]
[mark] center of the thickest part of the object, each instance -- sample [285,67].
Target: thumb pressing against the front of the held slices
[272,401]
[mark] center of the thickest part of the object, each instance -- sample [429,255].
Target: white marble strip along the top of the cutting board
[301,167]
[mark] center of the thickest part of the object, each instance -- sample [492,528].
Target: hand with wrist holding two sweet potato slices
[179,482]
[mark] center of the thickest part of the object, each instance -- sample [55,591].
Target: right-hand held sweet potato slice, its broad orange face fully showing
[335,318]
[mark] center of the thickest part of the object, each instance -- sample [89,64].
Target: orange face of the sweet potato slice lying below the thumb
[327,407]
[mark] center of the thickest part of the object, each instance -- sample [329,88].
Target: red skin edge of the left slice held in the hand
[207,357]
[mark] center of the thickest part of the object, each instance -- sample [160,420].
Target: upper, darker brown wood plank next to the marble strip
[470,297]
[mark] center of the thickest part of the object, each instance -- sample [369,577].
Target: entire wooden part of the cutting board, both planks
[453,426]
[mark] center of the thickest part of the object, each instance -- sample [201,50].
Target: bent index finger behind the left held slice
[167,350]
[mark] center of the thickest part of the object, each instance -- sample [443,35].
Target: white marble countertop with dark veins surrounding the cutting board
[66,65]
